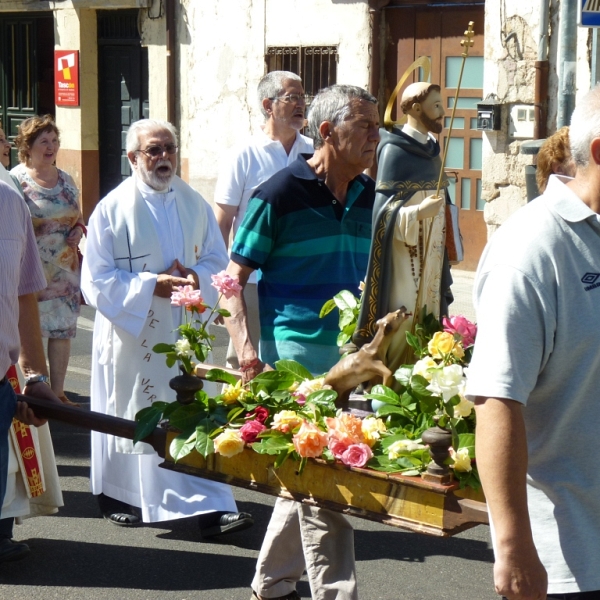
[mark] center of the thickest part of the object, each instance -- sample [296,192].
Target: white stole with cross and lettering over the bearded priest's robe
[140,375]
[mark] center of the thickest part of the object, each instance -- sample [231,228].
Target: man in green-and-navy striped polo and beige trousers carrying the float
[307,233]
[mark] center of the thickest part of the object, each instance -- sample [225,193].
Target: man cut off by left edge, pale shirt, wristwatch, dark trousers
[21,275]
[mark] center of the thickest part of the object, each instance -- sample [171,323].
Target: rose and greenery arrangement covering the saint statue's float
[288,413]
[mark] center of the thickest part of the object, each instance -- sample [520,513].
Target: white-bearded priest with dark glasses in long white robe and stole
[148,237]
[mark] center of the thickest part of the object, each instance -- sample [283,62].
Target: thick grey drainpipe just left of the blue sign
[567,42]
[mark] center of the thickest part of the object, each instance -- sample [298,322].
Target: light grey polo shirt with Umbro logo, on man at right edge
[537,298]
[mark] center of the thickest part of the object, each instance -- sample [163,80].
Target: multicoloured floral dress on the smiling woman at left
[54,212]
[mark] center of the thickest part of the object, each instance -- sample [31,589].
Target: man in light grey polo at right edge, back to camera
[535,376]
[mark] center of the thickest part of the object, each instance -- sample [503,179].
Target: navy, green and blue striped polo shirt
[306,247]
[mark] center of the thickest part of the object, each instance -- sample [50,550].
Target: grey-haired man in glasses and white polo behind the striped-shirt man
[275,146]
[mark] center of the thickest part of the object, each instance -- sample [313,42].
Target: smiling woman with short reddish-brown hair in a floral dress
[53,200]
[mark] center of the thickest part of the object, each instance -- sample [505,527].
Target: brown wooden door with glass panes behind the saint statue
[436,32]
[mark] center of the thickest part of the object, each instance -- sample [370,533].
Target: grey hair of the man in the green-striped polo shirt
[333,104]
